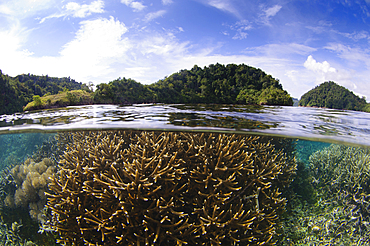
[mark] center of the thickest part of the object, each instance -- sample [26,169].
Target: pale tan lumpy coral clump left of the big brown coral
[28,185]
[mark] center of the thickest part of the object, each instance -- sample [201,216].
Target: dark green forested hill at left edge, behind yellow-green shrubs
[16,92]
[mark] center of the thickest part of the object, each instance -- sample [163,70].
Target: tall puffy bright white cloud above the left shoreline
[97,44]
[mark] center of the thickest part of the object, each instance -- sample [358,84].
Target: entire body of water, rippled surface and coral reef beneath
[185,175]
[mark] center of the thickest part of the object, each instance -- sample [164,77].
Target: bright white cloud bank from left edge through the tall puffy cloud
[90,56]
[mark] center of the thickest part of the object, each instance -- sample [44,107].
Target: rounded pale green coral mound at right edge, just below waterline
[343,172]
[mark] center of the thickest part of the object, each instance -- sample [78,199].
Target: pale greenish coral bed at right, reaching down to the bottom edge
[340,176]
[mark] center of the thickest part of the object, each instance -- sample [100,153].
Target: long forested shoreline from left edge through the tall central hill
[216,83]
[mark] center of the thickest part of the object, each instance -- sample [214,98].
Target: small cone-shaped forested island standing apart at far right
[332,95]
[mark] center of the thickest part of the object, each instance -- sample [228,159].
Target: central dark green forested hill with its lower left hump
[231,84]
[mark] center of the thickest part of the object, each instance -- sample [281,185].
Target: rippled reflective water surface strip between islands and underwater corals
[298,122]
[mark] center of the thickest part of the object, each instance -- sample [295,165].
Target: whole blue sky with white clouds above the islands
[301,43]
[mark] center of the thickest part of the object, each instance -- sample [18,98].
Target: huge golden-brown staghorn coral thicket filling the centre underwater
[167,188]
